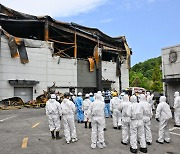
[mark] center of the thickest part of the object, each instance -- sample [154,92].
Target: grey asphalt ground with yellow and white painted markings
[30,126]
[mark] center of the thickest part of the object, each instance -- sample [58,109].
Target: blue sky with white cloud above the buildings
[148,25]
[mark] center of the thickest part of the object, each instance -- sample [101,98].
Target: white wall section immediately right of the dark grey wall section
[109,73]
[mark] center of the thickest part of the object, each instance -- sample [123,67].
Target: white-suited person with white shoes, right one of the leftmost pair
[68,110]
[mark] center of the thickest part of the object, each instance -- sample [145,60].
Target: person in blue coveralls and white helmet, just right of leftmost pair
[78,103]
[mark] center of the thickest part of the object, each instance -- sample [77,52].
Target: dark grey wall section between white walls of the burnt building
[85,78]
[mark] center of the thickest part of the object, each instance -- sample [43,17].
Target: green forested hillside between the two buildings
[147,74]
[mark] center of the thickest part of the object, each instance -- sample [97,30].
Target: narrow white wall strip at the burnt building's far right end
[124,75]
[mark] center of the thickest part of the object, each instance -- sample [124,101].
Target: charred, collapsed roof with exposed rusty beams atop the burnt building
[70,39]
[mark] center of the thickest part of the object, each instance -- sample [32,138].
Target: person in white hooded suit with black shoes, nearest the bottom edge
[136,112]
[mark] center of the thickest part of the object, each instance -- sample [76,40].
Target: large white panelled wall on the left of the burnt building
[42,67]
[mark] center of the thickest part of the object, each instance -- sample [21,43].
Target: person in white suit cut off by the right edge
[177,109]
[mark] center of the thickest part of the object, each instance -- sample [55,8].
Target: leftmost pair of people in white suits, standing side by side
[66,110]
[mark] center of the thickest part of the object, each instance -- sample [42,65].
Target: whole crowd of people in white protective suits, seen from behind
[130,114]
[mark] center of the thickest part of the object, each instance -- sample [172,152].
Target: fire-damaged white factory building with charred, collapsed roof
[38,53]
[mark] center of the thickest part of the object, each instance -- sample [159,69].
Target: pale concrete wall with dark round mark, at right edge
[171,71]
